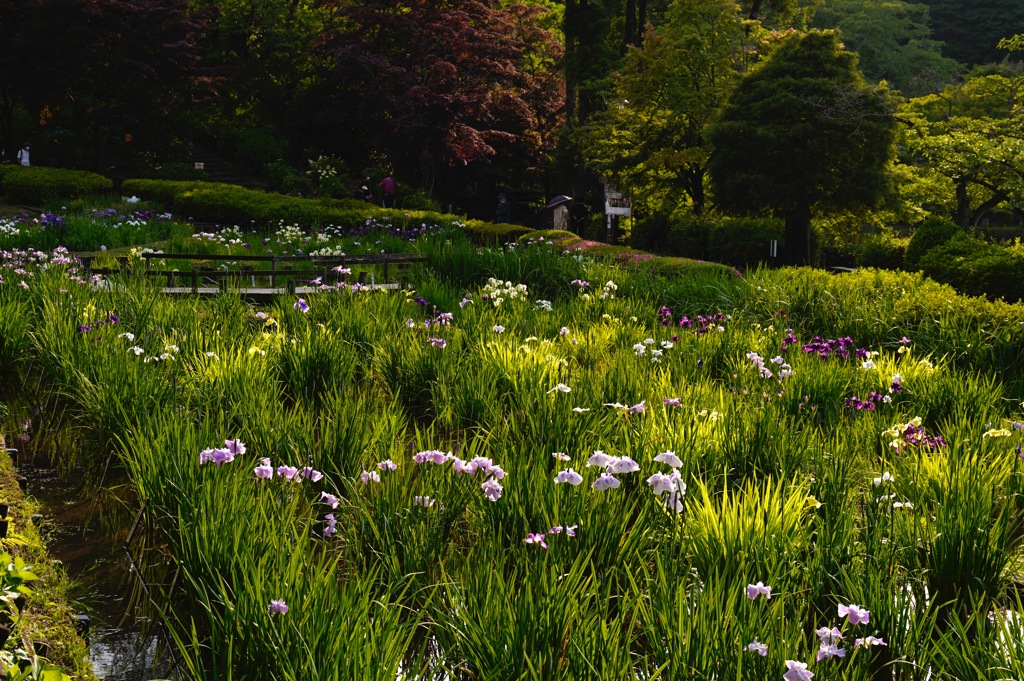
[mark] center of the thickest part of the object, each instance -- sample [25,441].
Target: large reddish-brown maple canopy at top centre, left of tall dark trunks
[448,83]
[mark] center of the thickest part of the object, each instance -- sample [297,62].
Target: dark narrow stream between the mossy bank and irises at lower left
[122,648]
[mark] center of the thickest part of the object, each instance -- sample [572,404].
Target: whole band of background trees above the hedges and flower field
[462,100]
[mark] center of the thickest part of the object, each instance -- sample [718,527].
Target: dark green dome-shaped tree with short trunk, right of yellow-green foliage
[803,134]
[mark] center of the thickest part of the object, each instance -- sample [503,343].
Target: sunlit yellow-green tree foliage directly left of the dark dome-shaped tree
[655,138]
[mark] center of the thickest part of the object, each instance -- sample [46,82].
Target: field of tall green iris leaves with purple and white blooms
[570,472]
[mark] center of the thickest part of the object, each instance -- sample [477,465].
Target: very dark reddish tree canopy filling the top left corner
[97,74]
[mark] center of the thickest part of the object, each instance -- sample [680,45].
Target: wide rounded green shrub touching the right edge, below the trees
[975,268]
